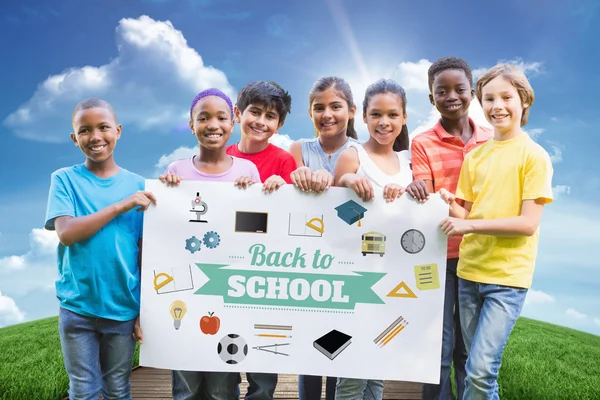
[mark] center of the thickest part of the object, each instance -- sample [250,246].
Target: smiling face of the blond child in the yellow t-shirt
[502,105]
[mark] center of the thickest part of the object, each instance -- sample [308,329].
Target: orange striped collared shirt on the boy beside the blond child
[438,156]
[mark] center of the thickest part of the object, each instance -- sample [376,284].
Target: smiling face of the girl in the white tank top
[384,117]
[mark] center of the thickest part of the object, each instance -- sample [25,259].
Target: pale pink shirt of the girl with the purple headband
[240,167]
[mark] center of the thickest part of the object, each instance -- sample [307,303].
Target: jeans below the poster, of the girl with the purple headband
[194,385]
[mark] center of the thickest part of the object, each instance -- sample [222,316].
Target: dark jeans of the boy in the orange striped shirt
[453,346]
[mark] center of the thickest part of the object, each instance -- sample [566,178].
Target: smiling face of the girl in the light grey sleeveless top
[330,113]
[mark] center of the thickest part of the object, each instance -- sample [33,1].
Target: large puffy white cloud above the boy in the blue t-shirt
[150,84]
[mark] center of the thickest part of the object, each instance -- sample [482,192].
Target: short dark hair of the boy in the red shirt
[268,94]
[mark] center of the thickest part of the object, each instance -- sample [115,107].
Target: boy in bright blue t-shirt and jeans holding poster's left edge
[91,207]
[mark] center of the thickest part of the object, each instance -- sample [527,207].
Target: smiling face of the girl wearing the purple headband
[212,122]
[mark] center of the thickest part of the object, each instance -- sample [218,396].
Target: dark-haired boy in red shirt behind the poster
[261,110]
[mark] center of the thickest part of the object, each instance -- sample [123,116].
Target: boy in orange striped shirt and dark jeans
[437,157]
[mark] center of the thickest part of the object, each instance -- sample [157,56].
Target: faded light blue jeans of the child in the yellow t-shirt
[488,314]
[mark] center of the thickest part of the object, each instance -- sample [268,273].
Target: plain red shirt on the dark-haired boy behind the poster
[271,161]
